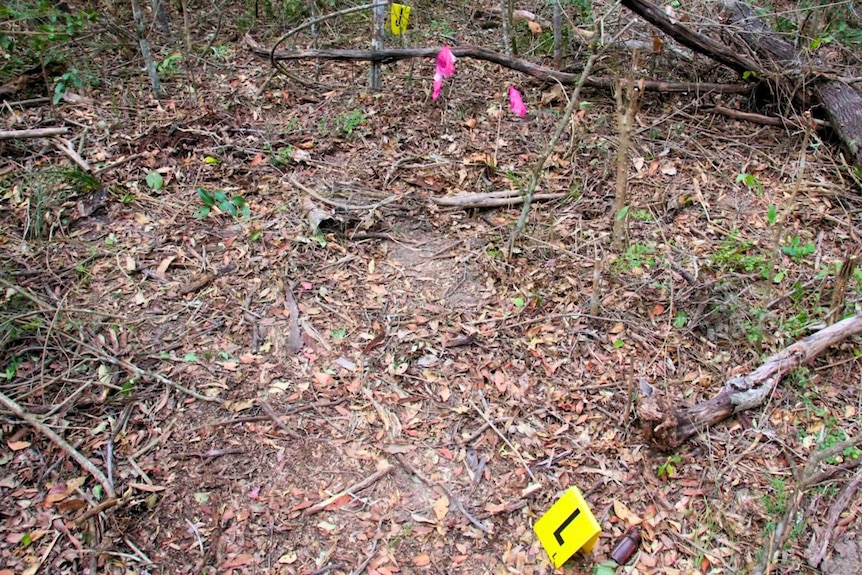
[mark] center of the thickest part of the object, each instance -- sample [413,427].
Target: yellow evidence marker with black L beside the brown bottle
[568,526]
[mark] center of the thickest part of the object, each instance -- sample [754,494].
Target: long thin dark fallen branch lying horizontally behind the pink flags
[478,53]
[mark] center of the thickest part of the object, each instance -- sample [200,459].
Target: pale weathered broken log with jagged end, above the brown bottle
[667,427]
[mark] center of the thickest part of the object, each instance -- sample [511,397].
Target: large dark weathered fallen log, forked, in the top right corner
[777,59]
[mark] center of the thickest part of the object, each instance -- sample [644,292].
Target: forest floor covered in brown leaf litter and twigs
[444,395]
